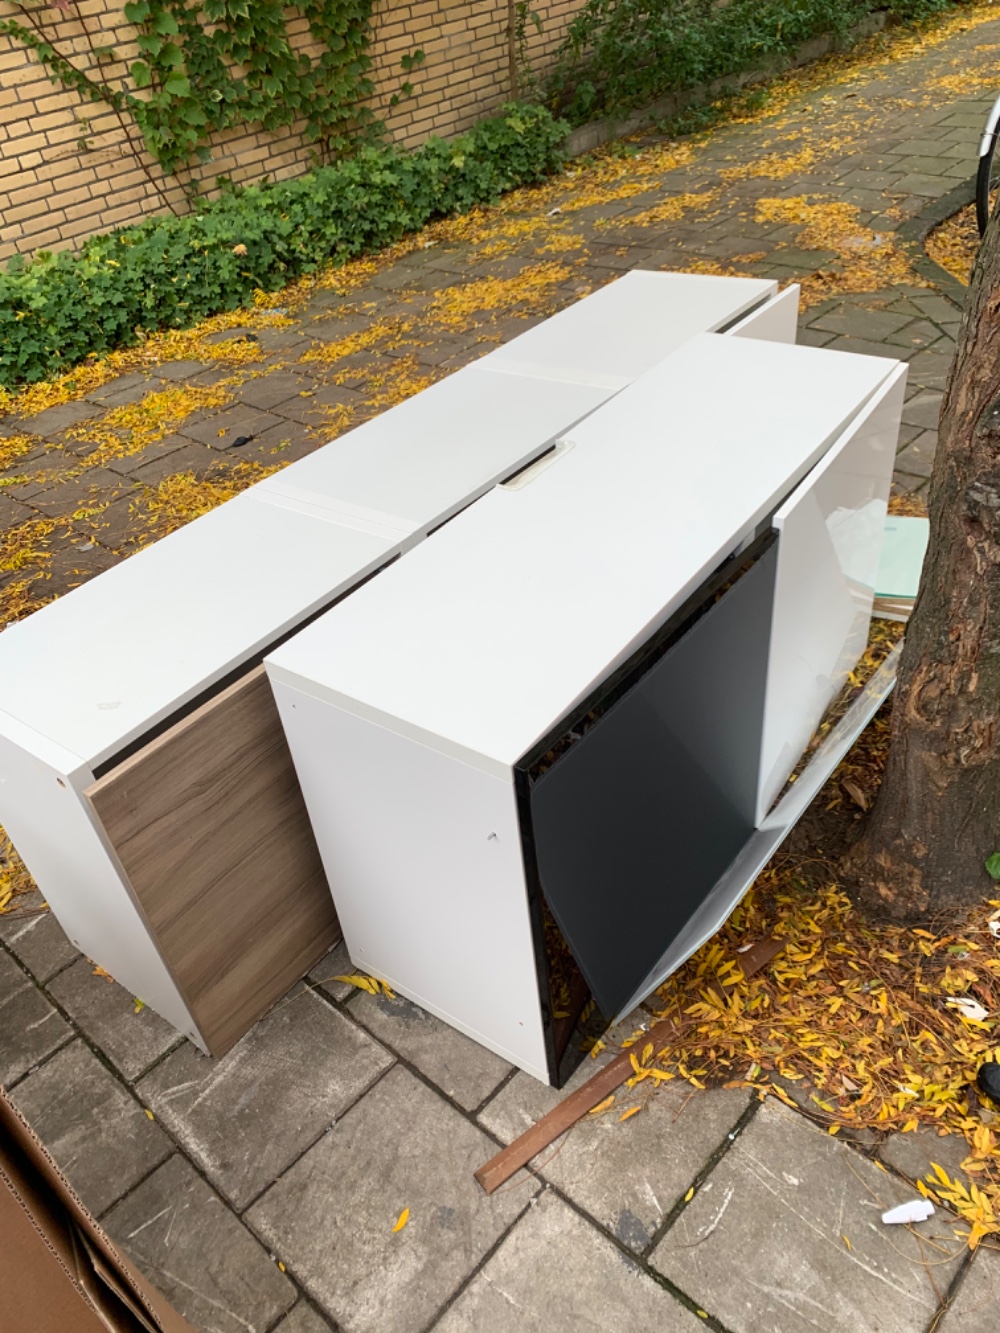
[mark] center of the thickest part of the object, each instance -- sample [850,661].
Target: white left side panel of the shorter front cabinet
[423,856]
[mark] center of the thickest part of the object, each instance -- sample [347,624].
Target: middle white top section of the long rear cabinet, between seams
[417,465]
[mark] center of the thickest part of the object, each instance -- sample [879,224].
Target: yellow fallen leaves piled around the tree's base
[859,1020]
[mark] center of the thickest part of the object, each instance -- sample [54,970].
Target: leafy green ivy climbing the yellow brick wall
[207,66]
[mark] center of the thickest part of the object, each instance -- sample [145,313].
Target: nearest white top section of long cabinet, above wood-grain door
[99,667]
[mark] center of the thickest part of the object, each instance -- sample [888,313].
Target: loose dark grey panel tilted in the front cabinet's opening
[635,823]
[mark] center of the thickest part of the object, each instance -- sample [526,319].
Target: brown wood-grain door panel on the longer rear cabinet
[210,827]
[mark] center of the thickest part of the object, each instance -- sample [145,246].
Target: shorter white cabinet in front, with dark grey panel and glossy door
[538,742]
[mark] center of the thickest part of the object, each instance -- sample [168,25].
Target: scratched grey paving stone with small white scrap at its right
[762,1247]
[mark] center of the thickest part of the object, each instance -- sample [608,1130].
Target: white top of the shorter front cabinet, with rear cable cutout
[479,641]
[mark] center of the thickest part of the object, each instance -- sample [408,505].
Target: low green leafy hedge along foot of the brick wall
[171,273]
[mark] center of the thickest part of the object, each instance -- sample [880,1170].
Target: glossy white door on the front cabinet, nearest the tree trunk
[831,533]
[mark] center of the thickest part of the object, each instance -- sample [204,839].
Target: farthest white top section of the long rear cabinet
[625,329]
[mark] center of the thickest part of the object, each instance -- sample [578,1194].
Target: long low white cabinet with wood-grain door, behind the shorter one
[143,771]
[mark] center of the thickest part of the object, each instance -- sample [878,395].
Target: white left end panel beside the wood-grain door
[51,826]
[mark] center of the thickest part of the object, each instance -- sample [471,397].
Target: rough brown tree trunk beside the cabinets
[938,814]
